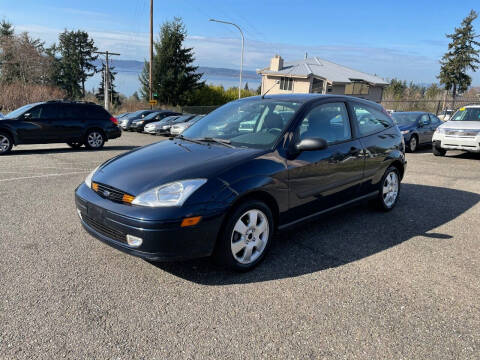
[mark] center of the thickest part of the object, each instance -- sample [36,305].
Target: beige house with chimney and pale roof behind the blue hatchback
[315,75]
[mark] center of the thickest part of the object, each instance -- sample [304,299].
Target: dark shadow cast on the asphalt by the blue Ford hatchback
[342,237]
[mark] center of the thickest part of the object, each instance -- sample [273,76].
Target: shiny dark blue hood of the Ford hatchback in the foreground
[153,165]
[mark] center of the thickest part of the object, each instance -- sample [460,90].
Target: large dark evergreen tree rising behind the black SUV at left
[75,63]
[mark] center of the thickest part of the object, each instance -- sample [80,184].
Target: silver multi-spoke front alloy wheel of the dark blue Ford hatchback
[249,236]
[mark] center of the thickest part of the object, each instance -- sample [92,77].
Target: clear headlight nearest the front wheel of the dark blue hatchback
[171,194]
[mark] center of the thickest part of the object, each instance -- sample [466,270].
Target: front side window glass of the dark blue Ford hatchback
[327,121]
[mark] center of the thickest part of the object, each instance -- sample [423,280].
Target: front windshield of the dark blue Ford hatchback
[255,122]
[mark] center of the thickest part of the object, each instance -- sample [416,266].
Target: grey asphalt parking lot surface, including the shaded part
[354,285]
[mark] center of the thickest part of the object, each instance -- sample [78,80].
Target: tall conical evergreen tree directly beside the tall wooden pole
[174,77]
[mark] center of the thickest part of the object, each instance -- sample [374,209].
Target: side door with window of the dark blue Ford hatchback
[322,179]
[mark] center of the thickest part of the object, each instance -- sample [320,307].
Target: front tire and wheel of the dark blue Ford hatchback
[238,240]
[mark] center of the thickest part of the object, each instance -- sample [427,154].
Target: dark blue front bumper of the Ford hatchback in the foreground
[163,237]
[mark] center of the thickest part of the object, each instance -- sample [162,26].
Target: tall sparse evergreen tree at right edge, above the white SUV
[461,57]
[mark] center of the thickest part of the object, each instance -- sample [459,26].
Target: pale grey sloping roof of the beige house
[323,69]
